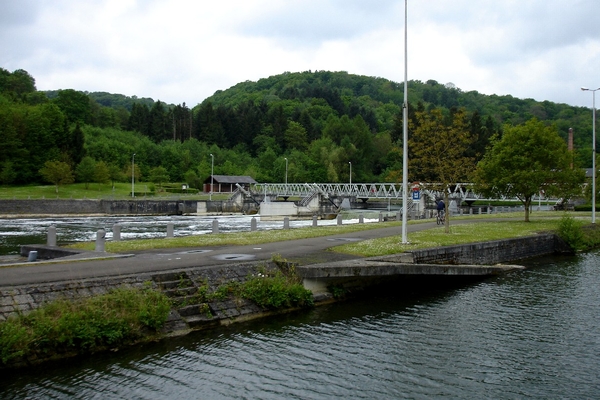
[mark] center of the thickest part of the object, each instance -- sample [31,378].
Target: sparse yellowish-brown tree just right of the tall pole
[439,151]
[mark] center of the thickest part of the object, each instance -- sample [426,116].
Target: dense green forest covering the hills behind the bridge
[315,122]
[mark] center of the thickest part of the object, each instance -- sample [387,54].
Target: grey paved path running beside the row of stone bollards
[92,264]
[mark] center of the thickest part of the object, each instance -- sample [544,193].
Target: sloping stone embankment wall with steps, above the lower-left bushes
[180,285]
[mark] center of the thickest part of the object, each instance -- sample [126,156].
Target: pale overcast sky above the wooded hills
[184,50]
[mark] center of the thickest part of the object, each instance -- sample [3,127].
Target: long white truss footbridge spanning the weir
[370,191]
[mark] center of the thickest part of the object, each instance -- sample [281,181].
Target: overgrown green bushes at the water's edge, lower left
[117,318]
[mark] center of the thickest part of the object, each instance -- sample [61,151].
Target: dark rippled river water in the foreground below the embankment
[532,334]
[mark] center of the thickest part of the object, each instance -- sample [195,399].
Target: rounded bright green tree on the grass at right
[529,158]
